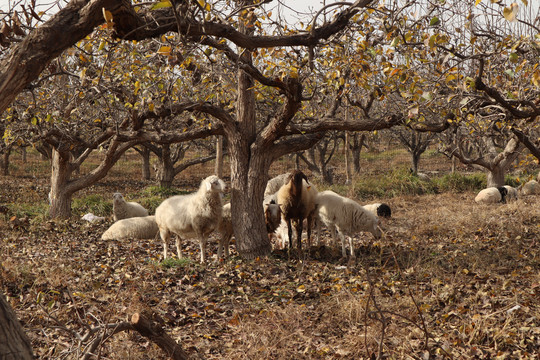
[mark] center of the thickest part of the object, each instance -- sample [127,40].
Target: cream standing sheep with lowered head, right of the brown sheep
[347,217]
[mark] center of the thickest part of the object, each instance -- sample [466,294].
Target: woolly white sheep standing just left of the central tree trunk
[192,215]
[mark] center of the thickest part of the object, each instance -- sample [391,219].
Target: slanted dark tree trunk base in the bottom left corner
[14,344]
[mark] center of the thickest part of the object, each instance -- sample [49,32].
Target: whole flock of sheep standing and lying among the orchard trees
[290,201]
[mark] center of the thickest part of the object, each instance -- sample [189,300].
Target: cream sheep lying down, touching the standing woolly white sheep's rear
[132,228]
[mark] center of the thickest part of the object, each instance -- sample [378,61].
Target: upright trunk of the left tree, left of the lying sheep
[60,198]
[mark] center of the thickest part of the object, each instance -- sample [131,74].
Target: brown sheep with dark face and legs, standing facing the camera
[297,200]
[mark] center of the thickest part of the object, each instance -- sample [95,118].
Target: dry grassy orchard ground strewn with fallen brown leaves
[463,276]
